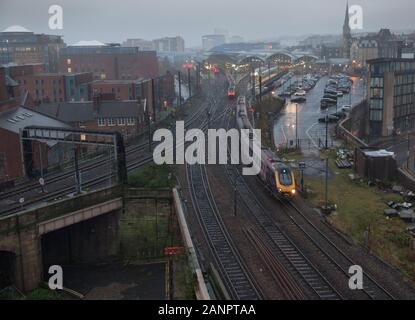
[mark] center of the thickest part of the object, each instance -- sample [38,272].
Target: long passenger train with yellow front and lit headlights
[277,176]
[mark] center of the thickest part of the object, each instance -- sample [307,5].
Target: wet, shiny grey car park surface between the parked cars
[309,130]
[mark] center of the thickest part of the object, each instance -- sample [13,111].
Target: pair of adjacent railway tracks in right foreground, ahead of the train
[295,260]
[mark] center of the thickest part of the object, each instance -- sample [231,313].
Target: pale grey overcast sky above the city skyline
[116,20]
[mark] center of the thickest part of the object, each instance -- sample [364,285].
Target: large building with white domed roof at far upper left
[22,46]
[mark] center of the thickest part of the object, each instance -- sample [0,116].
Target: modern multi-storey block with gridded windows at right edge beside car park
[391,96]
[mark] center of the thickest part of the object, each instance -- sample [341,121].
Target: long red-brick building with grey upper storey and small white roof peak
[109,62]
